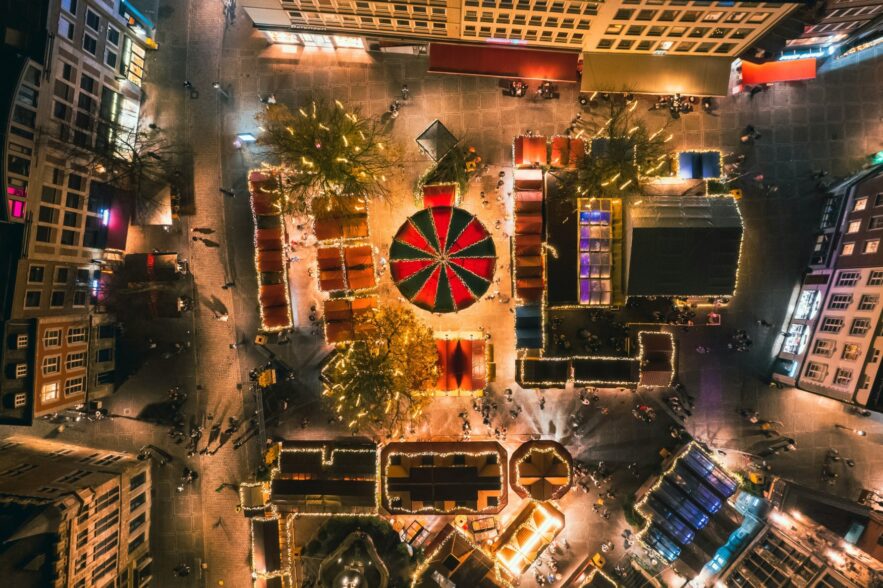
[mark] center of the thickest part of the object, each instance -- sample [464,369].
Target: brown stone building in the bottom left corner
[73,516]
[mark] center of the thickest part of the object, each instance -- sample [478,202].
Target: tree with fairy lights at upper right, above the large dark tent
[625,153]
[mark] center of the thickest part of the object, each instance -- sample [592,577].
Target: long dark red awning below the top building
[503,62]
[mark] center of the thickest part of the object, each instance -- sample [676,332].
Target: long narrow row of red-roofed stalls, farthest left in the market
[271,260]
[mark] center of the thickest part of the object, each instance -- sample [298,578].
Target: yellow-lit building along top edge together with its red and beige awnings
[652,46]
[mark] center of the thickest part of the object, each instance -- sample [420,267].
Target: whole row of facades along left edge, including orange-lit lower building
[73,83]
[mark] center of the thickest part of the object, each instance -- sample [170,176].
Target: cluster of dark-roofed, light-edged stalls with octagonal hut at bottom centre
[340,478]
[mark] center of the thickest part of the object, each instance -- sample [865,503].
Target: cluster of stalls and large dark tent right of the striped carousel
[573,252]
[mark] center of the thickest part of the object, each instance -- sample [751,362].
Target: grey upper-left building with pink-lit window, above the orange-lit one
[76,88]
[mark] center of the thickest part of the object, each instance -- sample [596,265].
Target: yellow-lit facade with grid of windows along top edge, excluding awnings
[643,27]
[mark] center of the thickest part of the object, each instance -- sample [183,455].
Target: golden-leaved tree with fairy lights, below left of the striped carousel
[381,380]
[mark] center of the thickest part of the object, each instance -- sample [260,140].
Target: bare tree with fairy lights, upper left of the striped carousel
[326,150]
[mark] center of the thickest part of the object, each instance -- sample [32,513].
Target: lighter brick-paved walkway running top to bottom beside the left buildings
[191,37]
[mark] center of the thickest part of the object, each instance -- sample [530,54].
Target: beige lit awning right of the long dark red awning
[656,74]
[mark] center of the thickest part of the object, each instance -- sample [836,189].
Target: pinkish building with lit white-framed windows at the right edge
[834,338]
